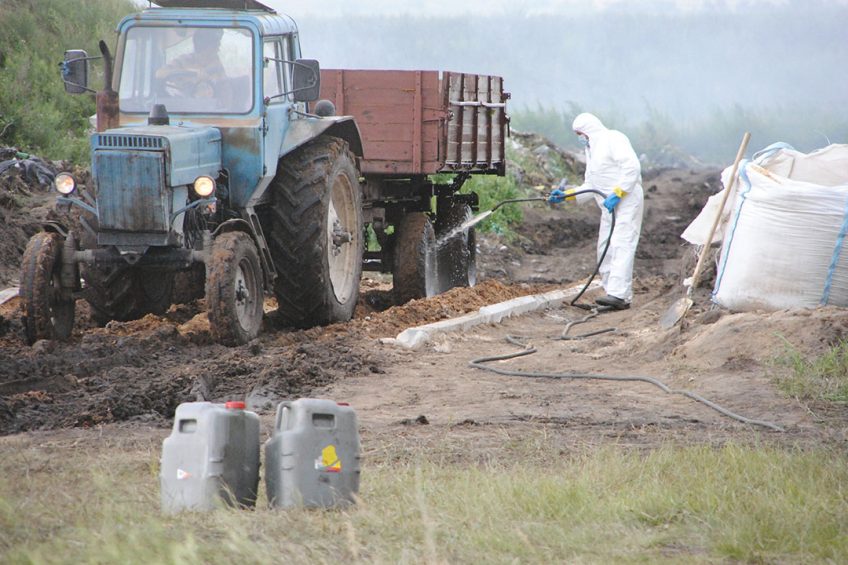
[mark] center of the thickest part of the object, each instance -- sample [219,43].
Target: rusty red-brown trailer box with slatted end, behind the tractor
[418,122]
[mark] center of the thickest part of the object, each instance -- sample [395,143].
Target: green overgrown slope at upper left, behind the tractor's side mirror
[36,115]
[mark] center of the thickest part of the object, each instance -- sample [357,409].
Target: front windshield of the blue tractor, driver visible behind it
[188,69]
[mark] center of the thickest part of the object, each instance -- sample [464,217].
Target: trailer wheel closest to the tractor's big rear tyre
[415,273]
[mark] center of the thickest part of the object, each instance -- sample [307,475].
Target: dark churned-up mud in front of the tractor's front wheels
[142,370]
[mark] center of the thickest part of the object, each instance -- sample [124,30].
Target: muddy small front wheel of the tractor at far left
[48,311]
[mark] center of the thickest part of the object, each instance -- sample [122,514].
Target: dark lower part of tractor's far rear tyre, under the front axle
[123,293]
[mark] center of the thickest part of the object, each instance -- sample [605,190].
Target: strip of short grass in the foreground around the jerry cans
[91,499]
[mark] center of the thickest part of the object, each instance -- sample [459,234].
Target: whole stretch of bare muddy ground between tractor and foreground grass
[136,373]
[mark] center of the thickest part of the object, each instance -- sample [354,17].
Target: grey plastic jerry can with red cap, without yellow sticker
[212,455]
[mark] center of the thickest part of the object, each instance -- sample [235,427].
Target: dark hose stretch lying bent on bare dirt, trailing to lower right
[480,363]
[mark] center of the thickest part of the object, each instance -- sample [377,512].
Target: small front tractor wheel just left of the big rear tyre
[234,294]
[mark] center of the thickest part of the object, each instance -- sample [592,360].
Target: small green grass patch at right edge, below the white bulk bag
[821,377]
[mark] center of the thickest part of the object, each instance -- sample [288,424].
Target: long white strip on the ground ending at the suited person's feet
[412,338]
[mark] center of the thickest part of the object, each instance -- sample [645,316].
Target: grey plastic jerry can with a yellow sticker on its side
[313,457]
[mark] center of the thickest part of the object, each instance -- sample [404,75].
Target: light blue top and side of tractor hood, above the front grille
[189,151]
